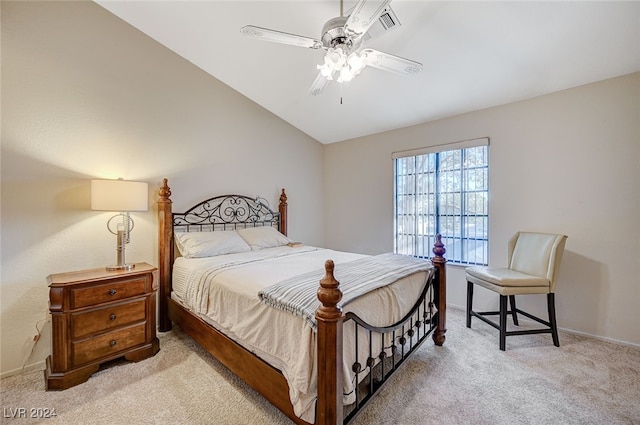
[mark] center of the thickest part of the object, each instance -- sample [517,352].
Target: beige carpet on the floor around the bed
[467,381]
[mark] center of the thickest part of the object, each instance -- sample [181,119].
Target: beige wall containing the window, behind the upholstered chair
[568,162]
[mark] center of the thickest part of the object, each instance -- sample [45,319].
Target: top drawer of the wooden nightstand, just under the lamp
[113,291]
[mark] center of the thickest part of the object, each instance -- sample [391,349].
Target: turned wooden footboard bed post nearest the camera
[329,318]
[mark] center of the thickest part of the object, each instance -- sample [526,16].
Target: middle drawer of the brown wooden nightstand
[107,318]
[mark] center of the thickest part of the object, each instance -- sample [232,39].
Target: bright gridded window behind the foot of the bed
[443,191]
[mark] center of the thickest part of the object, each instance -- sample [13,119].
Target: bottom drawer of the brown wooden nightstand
[107,345]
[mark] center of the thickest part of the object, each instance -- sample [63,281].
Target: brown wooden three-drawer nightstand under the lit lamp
[97,316]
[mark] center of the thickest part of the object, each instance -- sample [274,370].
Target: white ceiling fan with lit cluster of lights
[342,38]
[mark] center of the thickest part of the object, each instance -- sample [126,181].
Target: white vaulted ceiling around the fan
[475,55]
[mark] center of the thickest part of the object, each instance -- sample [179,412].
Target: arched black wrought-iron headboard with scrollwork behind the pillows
[227,212]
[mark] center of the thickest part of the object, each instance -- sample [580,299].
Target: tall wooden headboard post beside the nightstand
[165,245]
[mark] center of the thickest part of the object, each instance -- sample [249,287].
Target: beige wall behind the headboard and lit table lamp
[85,95]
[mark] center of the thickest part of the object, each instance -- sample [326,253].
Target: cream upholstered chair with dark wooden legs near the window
[534,262]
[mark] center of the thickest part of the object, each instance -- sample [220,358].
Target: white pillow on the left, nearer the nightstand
[209,244]
